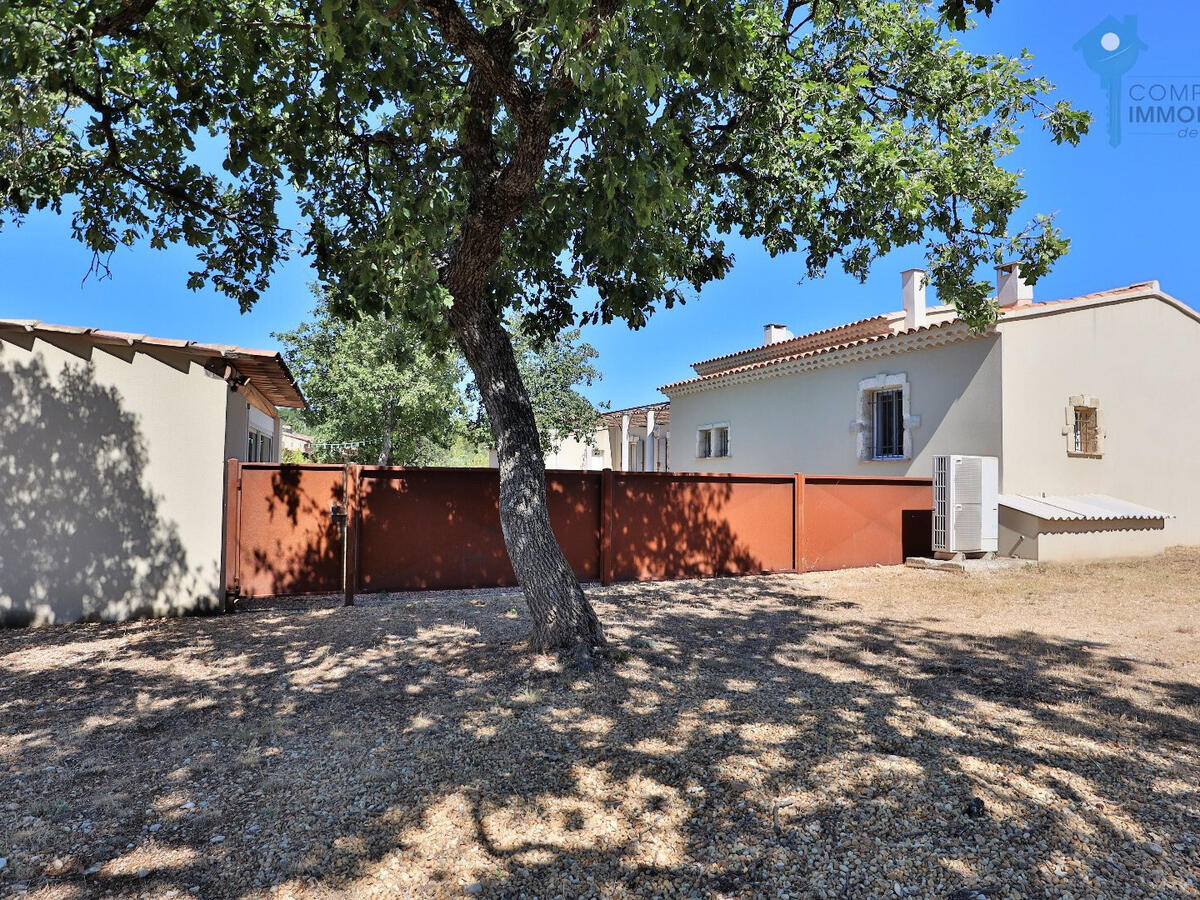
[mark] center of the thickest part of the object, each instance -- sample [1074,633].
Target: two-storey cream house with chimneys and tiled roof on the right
[1090,404]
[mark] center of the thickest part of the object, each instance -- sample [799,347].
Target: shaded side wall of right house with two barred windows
[803,422]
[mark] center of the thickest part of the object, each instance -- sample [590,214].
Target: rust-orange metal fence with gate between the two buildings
[434,529]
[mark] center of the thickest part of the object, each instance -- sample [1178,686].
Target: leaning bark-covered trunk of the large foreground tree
[562,616]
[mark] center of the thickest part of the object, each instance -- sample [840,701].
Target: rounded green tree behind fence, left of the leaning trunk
[374,383]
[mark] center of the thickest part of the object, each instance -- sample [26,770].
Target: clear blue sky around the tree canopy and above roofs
[1132,213]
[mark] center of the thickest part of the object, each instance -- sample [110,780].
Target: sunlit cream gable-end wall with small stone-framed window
[1142,361]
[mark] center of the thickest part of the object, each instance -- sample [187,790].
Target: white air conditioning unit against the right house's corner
[967,502]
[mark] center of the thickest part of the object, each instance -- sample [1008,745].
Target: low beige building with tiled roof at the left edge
[112,451]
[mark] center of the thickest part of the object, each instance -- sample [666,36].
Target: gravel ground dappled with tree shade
[817,736]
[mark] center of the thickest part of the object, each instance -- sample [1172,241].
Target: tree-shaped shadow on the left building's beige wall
[81,538]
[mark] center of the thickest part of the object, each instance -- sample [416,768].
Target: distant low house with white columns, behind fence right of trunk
[634,440]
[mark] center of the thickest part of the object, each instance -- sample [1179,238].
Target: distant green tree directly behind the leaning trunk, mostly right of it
[553,369]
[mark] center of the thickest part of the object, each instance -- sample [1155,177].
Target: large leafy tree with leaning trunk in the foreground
[454,160]
